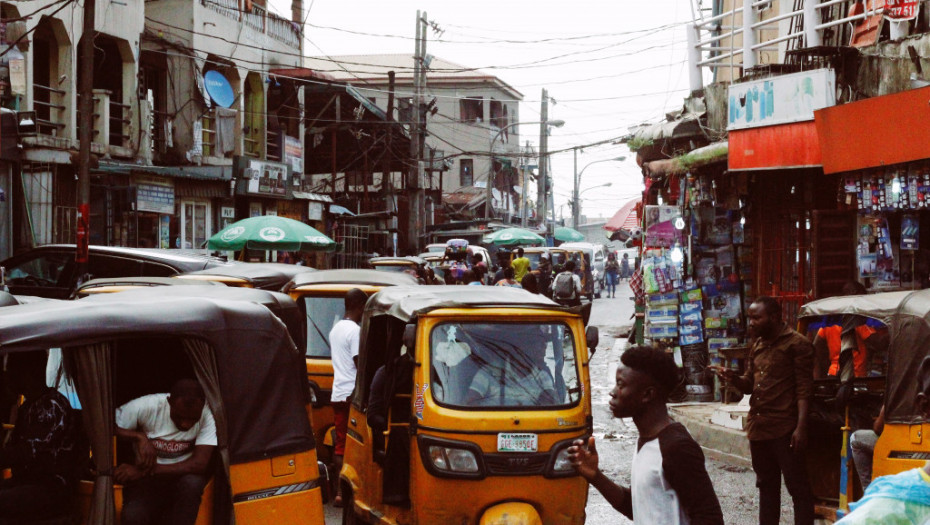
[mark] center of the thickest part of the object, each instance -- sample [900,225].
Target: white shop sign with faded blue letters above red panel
[781,100]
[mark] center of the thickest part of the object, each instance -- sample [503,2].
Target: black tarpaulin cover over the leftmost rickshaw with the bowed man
[262,377]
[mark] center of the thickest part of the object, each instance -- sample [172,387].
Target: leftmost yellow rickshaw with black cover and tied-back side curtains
[112,348]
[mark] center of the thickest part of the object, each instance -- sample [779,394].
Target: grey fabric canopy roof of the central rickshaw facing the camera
[407,302]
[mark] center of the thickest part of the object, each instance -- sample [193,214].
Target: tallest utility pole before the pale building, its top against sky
[414,194]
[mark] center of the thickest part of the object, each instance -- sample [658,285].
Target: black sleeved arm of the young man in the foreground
[683,468]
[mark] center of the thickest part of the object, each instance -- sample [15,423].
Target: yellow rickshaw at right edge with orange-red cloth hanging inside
[880,339]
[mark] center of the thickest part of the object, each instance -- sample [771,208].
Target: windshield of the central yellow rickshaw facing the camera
[504,365]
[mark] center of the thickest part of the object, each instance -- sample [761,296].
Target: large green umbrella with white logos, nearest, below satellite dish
[269,232]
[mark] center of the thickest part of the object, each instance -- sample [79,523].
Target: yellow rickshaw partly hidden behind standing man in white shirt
[321,297]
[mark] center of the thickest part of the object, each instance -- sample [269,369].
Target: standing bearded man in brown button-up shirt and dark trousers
[779,376]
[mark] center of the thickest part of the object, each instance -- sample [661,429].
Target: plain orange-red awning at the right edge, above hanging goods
[878,131]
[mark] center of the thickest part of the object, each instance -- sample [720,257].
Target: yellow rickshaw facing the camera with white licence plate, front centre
[465,403]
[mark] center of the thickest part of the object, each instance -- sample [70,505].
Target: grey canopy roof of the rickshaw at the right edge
[907,316]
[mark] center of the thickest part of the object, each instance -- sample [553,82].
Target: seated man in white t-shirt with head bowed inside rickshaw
[174,436]
